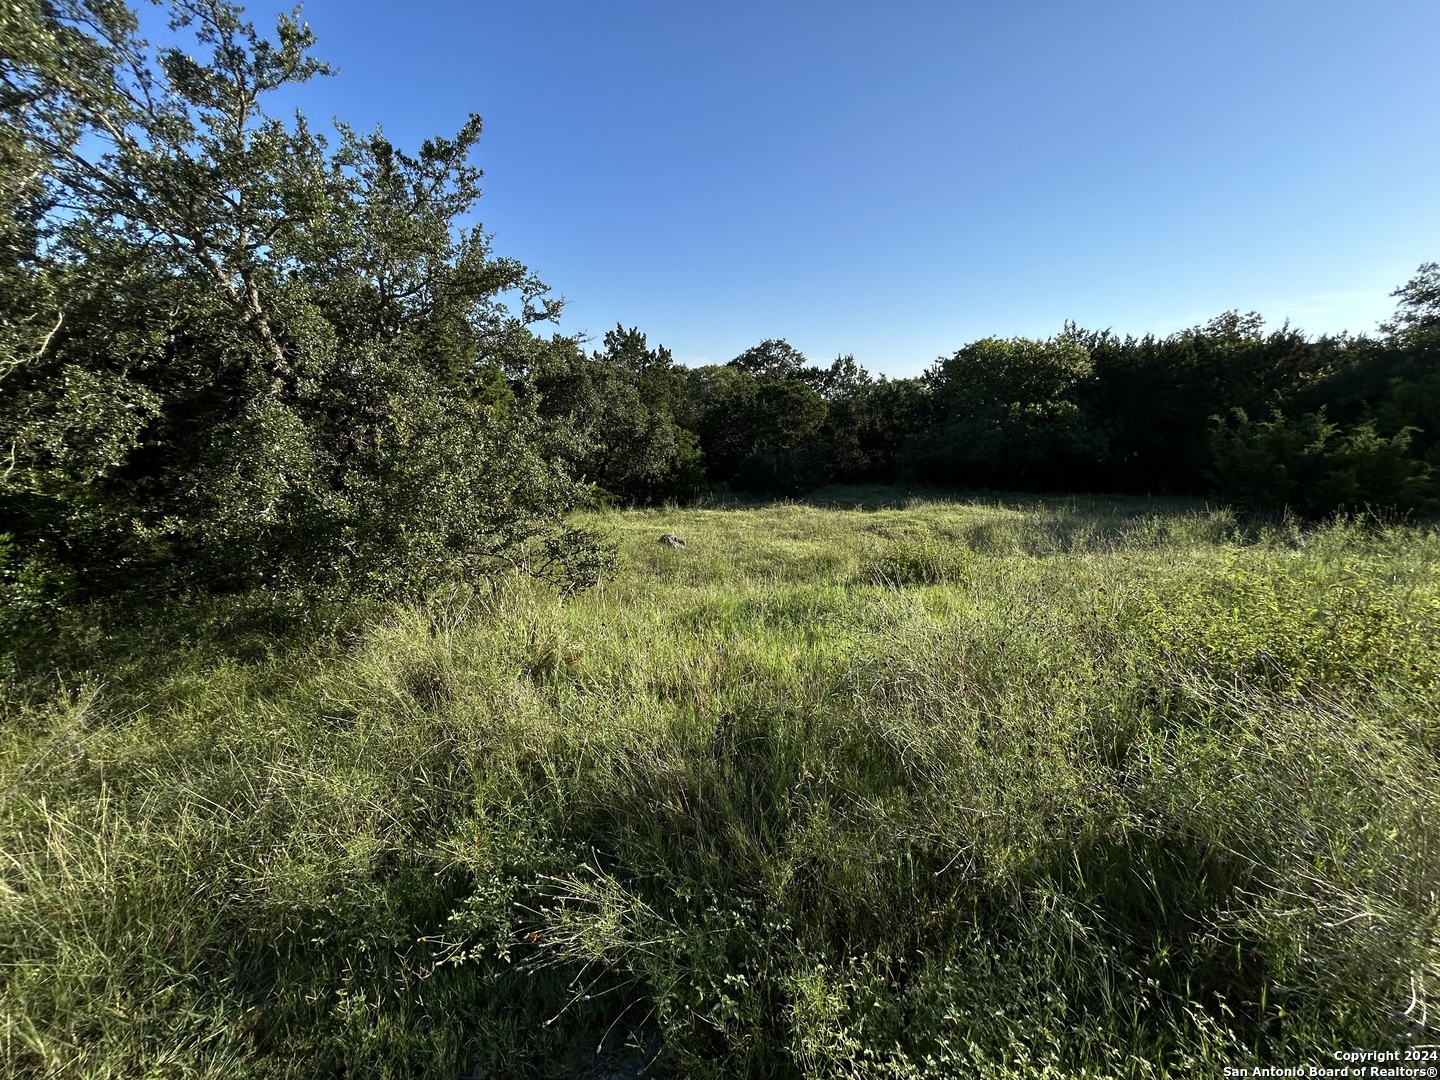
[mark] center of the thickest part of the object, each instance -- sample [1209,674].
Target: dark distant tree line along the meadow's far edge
[1264,420]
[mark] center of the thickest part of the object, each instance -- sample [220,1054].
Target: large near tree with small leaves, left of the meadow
[273,362]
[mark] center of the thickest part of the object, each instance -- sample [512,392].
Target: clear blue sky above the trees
[898,179]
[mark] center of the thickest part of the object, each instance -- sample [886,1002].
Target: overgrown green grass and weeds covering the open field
[866,787]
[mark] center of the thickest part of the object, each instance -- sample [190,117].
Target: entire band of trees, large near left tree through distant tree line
[240,354]
